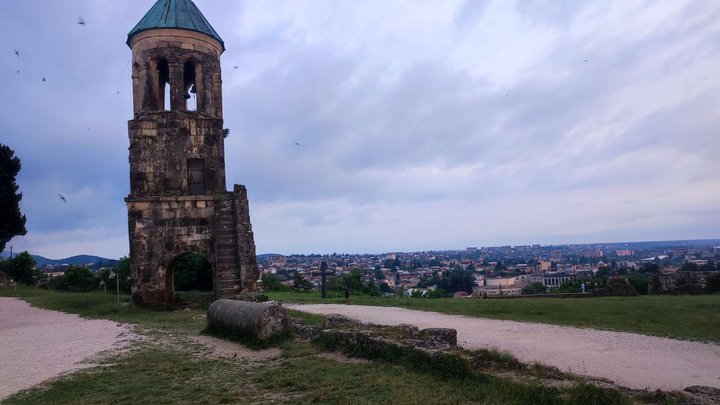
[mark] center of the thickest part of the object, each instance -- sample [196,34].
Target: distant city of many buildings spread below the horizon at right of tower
[504,270]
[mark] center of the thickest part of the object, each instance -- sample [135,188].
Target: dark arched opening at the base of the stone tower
[192,280]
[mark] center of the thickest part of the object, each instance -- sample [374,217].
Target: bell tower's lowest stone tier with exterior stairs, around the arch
[164,228]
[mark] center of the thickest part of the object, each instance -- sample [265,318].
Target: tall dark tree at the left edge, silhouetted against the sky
[13,222]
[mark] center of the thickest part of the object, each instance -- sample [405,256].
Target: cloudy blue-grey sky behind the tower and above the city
[422,124]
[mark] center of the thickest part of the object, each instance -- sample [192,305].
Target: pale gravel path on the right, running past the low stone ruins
[632,360]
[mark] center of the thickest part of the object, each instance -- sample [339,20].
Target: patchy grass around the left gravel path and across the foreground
[167,368]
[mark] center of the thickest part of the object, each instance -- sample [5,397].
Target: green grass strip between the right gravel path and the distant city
[683,317]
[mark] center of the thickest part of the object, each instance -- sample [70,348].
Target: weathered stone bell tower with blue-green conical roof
[178,203]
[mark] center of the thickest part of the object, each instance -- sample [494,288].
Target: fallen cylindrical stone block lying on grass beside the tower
[261,320]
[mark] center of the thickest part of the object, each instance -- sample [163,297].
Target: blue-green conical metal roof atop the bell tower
[178,14]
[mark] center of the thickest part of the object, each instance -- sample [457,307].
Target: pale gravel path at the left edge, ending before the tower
[37,344]
